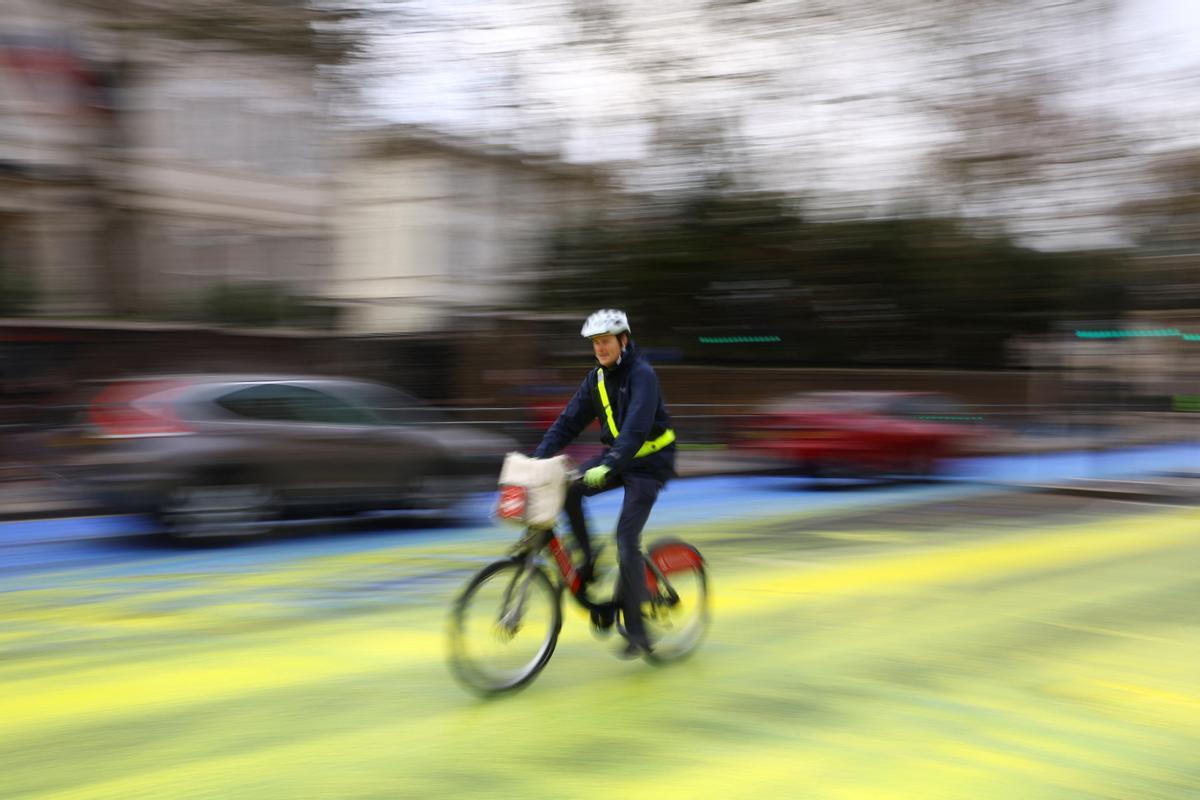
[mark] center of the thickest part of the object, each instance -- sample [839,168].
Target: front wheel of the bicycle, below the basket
[505,628]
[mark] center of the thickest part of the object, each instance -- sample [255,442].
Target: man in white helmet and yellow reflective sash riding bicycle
[625,394]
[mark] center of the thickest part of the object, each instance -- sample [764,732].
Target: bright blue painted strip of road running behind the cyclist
[124,545]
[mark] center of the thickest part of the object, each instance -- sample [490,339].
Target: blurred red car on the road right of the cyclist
[857,434]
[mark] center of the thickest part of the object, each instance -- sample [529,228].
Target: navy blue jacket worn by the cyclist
[638,408]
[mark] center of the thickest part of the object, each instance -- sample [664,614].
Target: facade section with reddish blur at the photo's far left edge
[55,109]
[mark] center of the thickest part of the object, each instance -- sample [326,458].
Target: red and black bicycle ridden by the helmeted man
[509,599]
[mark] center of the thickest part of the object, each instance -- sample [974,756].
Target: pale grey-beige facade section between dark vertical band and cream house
[223,178]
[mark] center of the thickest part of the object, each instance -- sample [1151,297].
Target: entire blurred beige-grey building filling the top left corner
[142,169]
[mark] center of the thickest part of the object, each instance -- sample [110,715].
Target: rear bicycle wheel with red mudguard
[679,615]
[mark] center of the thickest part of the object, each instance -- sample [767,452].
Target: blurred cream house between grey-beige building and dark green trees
[431,232]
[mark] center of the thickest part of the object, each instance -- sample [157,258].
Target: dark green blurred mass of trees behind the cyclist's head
[742,269]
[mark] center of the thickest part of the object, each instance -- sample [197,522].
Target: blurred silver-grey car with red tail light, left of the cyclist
[220,455]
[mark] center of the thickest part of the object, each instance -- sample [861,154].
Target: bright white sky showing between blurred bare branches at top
[457,75]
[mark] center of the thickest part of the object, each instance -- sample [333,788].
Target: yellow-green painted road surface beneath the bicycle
[1057,657]
